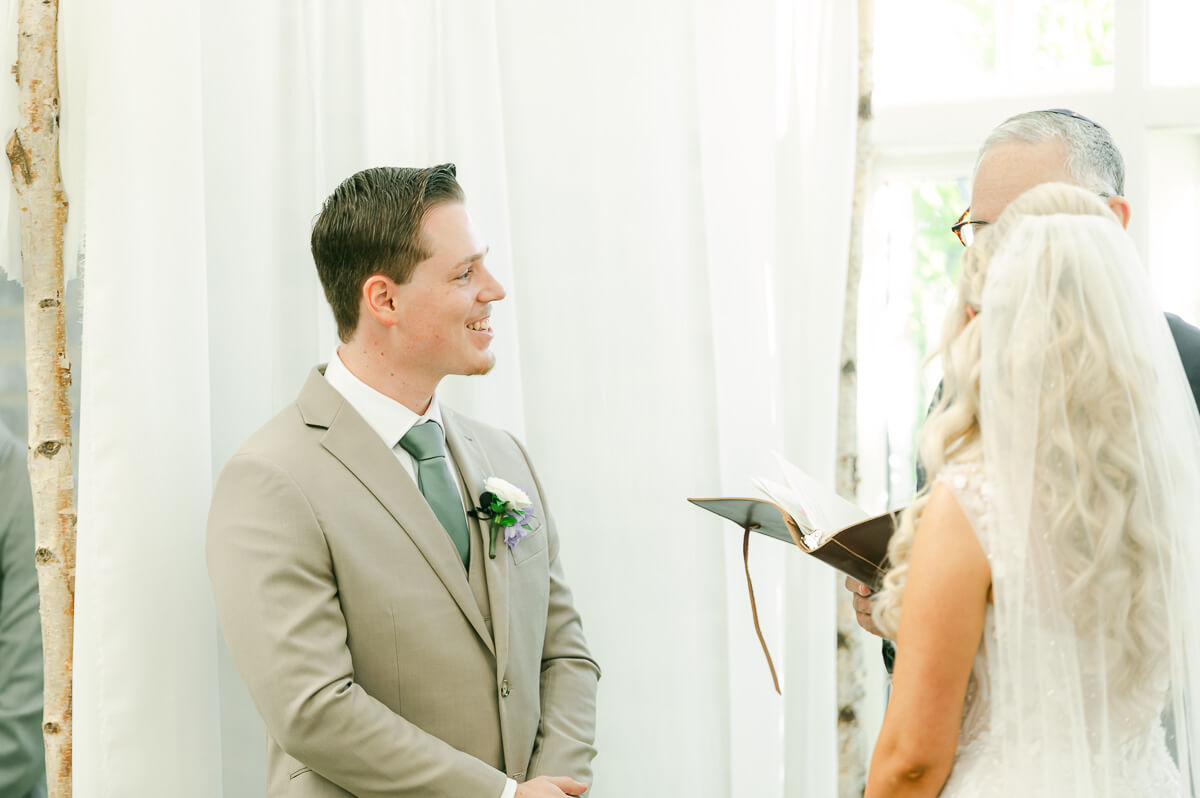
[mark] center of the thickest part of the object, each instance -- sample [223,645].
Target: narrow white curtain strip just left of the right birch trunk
[818,152]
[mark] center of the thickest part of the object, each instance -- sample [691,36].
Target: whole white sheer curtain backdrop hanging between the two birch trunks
[665,188]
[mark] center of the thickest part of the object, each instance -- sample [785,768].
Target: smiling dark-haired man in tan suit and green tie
[386,650]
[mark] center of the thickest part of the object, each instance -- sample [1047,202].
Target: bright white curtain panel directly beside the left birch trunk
[146,691]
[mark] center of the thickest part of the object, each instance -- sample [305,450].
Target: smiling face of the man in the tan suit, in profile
[445,310]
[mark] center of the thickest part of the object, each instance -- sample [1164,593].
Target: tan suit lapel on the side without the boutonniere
[357,446]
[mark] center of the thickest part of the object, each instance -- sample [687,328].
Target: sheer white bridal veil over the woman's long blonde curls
[1091,446]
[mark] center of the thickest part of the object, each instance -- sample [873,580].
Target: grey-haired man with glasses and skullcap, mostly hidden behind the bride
[1024,152]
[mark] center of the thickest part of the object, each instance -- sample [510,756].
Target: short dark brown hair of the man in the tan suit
[371,225]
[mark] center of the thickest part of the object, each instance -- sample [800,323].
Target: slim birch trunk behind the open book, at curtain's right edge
[851,674]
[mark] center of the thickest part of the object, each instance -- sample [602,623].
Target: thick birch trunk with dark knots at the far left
[34,157]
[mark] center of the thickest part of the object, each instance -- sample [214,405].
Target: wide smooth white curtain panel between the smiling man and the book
[617,364]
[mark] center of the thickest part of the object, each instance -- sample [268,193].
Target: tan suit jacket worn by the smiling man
[379,667]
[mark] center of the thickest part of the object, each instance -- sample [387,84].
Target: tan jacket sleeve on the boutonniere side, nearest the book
[565,746]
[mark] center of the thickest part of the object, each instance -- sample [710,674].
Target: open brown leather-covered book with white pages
[815,519]
